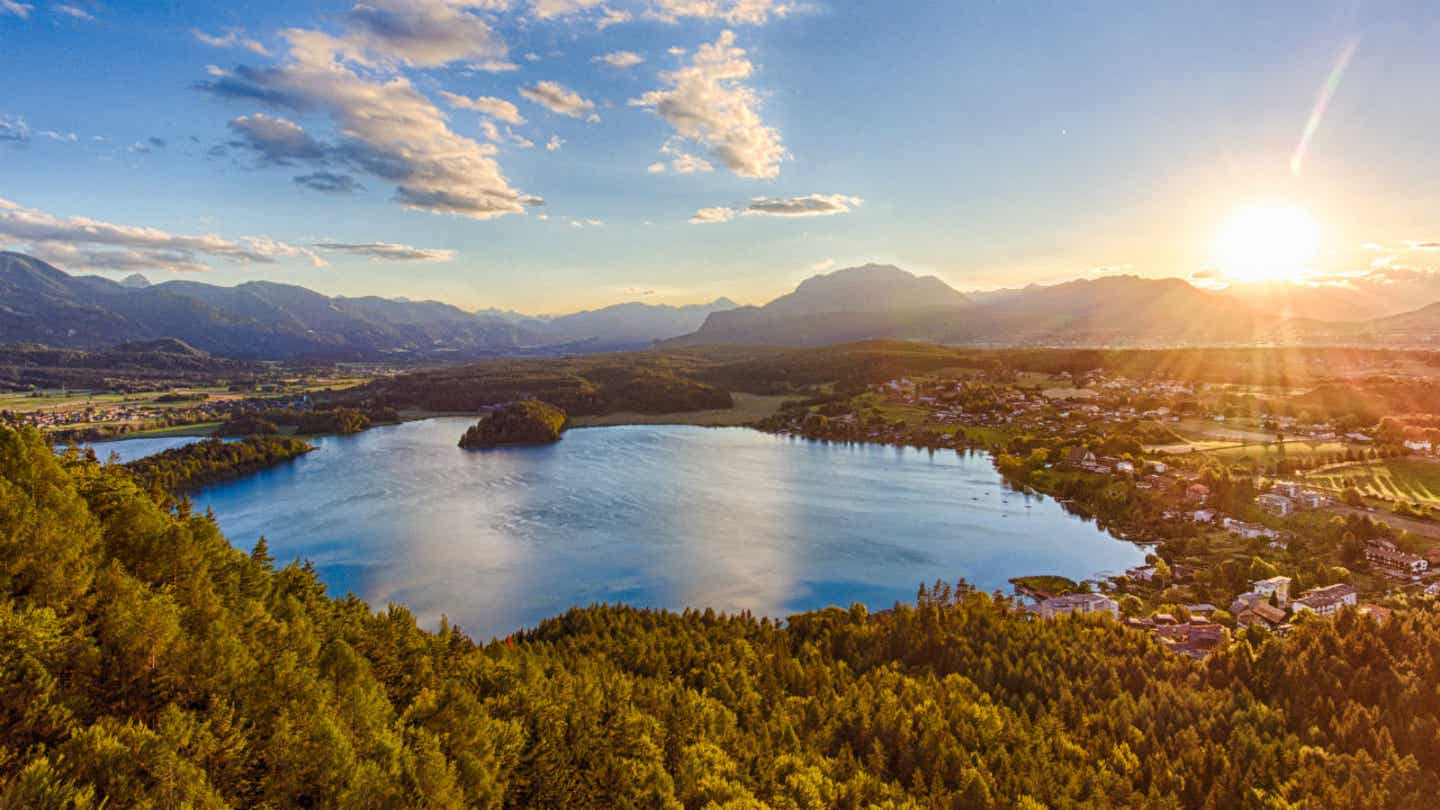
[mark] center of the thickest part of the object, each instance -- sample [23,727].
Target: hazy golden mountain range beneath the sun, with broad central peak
[1117,311]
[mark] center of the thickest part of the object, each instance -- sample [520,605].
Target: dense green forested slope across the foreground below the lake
[145,662]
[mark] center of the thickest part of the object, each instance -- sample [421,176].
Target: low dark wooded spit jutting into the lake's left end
[212,460]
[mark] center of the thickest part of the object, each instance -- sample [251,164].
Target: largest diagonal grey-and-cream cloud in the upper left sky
[388,129]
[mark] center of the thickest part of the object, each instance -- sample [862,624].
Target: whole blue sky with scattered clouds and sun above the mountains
[548,156]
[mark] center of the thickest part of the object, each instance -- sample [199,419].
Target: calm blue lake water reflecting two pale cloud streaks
[662,517]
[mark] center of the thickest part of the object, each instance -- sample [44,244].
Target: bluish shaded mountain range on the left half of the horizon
[264,321]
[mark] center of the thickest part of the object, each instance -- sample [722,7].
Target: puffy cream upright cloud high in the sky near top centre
[708,104]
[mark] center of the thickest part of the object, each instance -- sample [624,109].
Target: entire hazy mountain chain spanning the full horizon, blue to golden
[266,321]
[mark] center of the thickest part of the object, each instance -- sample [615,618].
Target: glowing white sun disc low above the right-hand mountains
[1271,243]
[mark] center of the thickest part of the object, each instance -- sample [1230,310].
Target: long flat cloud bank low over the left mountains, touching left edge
[80,243]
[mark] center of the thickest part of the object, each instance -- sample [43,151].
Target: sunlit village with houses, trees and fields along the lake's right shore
[1252,521]
